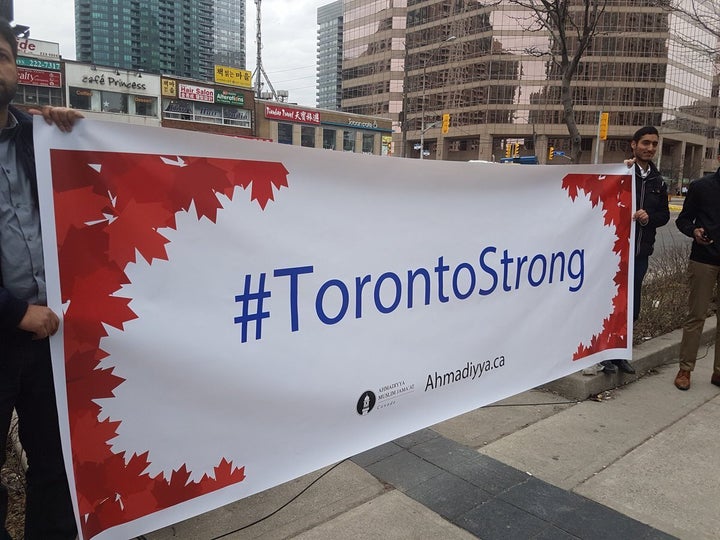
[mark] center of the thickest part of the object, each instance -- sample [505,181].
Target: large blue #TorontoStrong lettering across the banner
[386,292]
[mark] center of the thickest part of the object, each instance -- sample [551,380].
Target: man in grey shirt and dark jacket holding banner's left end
[26,381]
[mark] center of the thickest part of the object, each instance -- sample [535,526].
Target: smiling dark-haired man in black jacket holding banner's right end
[652,211]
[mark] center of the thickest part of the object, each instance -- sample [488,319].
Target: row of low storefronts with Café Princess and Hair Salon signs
[226,106]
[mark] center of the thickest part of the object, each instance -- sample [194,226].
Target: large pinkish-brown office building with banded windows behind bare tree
[485,66]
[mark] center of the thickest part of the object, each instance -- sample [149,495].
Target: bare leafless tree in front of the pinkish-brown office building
[571,26]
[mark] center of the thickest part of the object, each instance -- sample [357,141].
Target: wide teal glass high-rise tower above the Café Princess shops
[178,37]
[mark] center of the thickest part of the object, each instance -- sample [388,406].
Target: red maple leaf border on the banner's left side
[132,196]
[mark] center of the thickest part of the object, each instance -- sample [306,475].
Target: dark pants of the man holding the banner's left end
[26,383]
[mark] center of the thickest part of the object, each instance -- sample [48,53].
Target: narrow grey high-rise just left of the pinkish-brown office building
[329,55]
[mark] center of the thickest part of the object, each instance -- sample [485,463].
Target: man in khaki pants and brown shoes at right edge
[700,220]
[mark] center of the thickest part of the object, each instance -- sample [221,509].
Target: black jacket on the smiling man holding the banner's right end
[651,196]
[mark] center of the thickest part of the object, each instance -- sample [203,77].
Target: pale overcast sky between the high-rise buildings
[289,33]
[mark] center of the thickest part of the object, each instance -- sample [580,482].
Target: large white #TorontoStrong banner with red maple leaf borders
[238,313]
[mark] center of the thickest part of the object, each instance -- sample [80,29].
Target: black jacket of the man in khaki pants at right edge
[702,209]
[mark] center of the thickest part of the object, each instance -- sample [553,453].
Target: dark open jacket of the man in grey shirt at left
[12,309]
